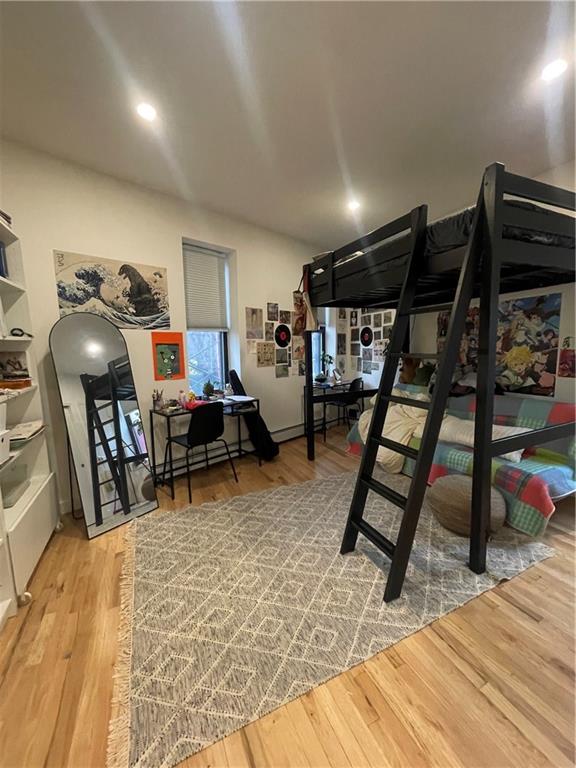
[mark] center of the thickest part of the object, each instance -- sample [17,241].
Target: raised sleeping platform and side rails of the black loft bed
[537,248]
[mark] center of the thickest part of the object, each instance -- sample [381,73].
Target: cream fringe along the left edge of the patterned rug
[118,750]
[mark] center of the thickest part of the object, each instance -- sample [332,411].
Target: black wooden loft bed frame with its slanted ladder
[509,247]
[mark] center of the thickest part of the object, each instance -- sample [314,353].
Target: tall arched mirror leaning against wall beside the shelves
[103,421]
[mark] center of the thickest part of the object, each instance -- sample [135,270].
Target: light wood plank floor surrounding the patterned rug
[490,685]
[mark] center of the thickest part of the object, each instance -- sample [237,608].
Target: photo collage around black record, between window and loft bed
[276,336]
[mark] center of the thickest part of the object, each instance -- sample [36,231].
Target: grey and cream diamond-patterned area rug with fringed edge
[234,608]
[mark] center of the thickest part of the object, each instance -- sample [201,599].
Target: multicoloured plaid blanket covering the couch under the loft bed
[545,473]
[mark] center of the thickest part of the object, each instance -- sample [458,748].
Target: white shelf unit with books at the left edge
[25,527]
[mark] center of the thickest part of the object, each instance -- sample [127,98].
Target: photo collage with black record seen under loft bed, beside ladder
[370,332]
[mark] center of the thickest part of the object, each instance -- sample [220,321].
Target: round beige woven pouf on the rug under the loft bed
[450,499]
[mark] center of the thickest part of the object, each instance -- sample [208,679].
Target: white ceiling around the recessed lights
[277,112]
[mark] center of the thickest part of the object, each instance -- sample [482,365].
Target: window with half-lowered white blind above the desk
[206,292]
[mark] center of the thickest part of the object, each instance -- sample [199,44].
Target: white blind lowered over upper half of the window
[205,288]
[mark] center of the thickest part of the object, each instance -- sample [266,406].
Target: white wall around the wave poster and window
[57,205]
